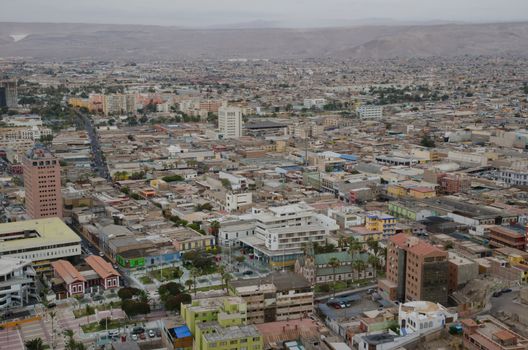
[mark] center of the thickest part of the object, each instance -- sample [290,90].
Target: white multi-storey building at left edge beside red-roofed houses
[17,282]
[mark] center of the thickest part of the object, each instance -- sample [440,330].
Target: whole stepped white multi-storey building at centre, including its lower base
[282,232]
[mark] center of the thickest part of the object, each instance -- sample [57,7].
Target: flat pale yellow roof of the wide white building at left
[35,234]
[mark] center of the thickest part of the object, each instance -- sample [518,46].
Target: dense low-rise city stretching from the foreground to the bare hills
[258,204]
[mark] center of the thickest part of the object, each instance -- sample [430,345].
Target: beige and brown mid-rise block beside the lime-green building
[280,296]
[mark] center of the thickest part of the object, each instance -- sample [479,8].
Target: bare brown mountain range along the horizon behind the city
[137,42]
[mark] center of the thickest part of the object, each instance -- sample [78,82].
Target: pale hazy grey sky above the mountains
[283,12]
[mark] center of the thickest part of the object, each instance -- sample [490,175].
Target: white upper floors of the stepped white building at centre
[292,226]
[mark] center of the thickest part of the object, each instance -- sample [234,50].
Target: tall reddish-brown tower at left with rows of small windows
[42,184]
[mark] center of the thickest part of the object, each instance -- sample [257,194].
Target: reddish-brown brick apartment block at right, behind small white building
[416,270]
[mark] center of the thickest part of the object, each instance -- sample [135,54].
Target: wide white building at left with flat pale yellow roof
[40,241]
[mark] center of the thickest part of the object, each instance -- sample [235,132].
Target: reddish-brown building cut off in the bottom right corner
[491,334]
